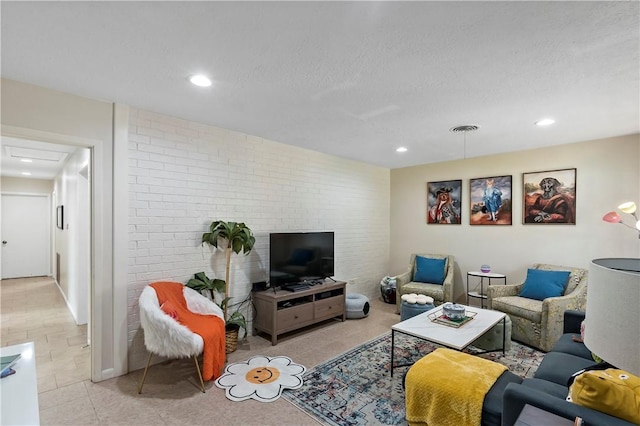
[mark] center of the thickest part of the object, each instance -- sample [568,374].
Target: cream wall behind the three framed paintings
[607,175]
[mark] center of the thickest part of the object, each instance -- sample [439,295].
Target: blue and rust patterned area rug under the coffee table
[355,388]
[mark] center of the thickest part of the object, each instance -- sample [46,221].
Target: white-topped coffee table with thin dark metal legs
[422,327]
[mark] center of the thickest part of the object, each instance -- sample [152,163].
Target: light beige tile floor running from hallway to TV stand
[33,310]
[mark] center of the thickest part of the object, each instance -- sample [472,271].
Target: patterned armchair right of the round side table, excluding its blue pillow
[539,323]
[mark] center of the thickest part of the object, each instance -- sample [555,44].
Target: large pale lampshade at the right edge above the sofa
[612,327]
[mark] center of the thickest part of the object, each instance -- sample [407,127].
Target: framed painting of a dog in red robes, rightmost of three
[549,197]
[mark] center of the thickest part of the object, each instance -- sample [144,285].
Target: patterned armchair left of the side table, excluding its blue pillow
[440,292]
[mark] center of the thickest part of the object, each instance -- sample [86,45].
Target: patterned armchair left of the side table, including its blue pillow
[408,282]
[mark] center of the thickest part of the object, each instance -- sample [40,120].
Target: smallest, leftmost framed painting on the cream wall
[444,202]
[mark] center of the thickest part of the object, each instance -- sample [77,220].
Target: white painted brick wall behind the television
[183,175]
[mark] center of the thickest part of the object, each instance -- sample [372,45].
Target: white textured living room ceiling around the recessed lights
[353,79]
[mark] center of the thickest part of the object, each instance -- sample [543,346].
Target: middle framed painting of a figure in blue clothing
[490,200]
